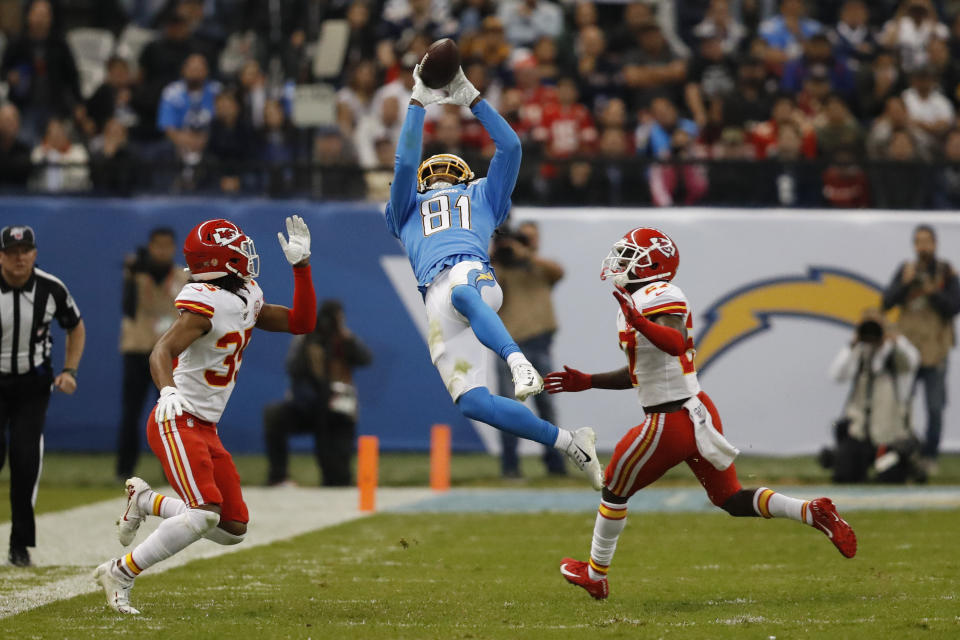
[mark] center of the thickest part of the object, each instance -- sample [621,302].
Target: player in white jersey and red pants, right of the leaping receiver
[681,423]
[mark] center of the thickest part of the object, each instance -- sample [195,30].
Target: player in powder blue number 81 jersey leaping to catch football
[445,217]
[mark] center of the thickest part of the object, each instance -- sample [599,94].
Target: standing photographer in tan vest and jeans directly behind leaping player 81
[527,280]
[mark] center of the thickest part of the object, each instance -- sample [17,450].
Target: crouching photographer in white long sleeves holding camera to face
[874,431]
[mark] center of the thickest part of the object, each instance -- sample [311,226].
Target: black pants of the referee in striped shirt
[23,409]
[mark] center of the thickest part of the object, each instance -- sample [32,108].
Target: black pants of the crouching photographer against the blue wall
[333,434]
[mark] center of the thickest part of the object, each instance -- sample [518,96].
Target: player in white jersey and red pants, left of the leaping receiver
[195,366]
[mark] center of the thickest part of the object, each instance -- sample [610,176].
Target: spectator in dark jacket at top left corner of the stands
[40,71]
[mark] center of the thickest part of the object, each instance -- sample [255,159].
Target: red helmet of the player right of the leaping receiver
[642,255]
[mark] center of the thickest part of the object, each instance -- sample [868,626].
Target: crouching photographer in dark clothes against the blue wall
[321,400]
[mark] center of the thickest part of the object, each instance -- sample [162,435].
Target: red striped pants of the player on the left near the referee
[197,466]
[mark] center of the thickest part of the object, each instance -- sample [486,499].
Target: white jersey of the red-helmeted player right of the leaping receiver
[658,376]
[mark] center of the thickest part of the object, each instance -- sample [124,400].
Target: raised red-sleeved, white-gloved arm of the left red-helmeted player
[302,318]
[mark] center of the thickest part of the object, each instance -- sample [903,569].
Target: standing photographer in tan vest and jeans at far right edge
[928,294]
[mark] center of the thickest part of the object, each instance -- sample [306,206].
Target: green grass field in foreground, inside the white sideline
[495,576]
